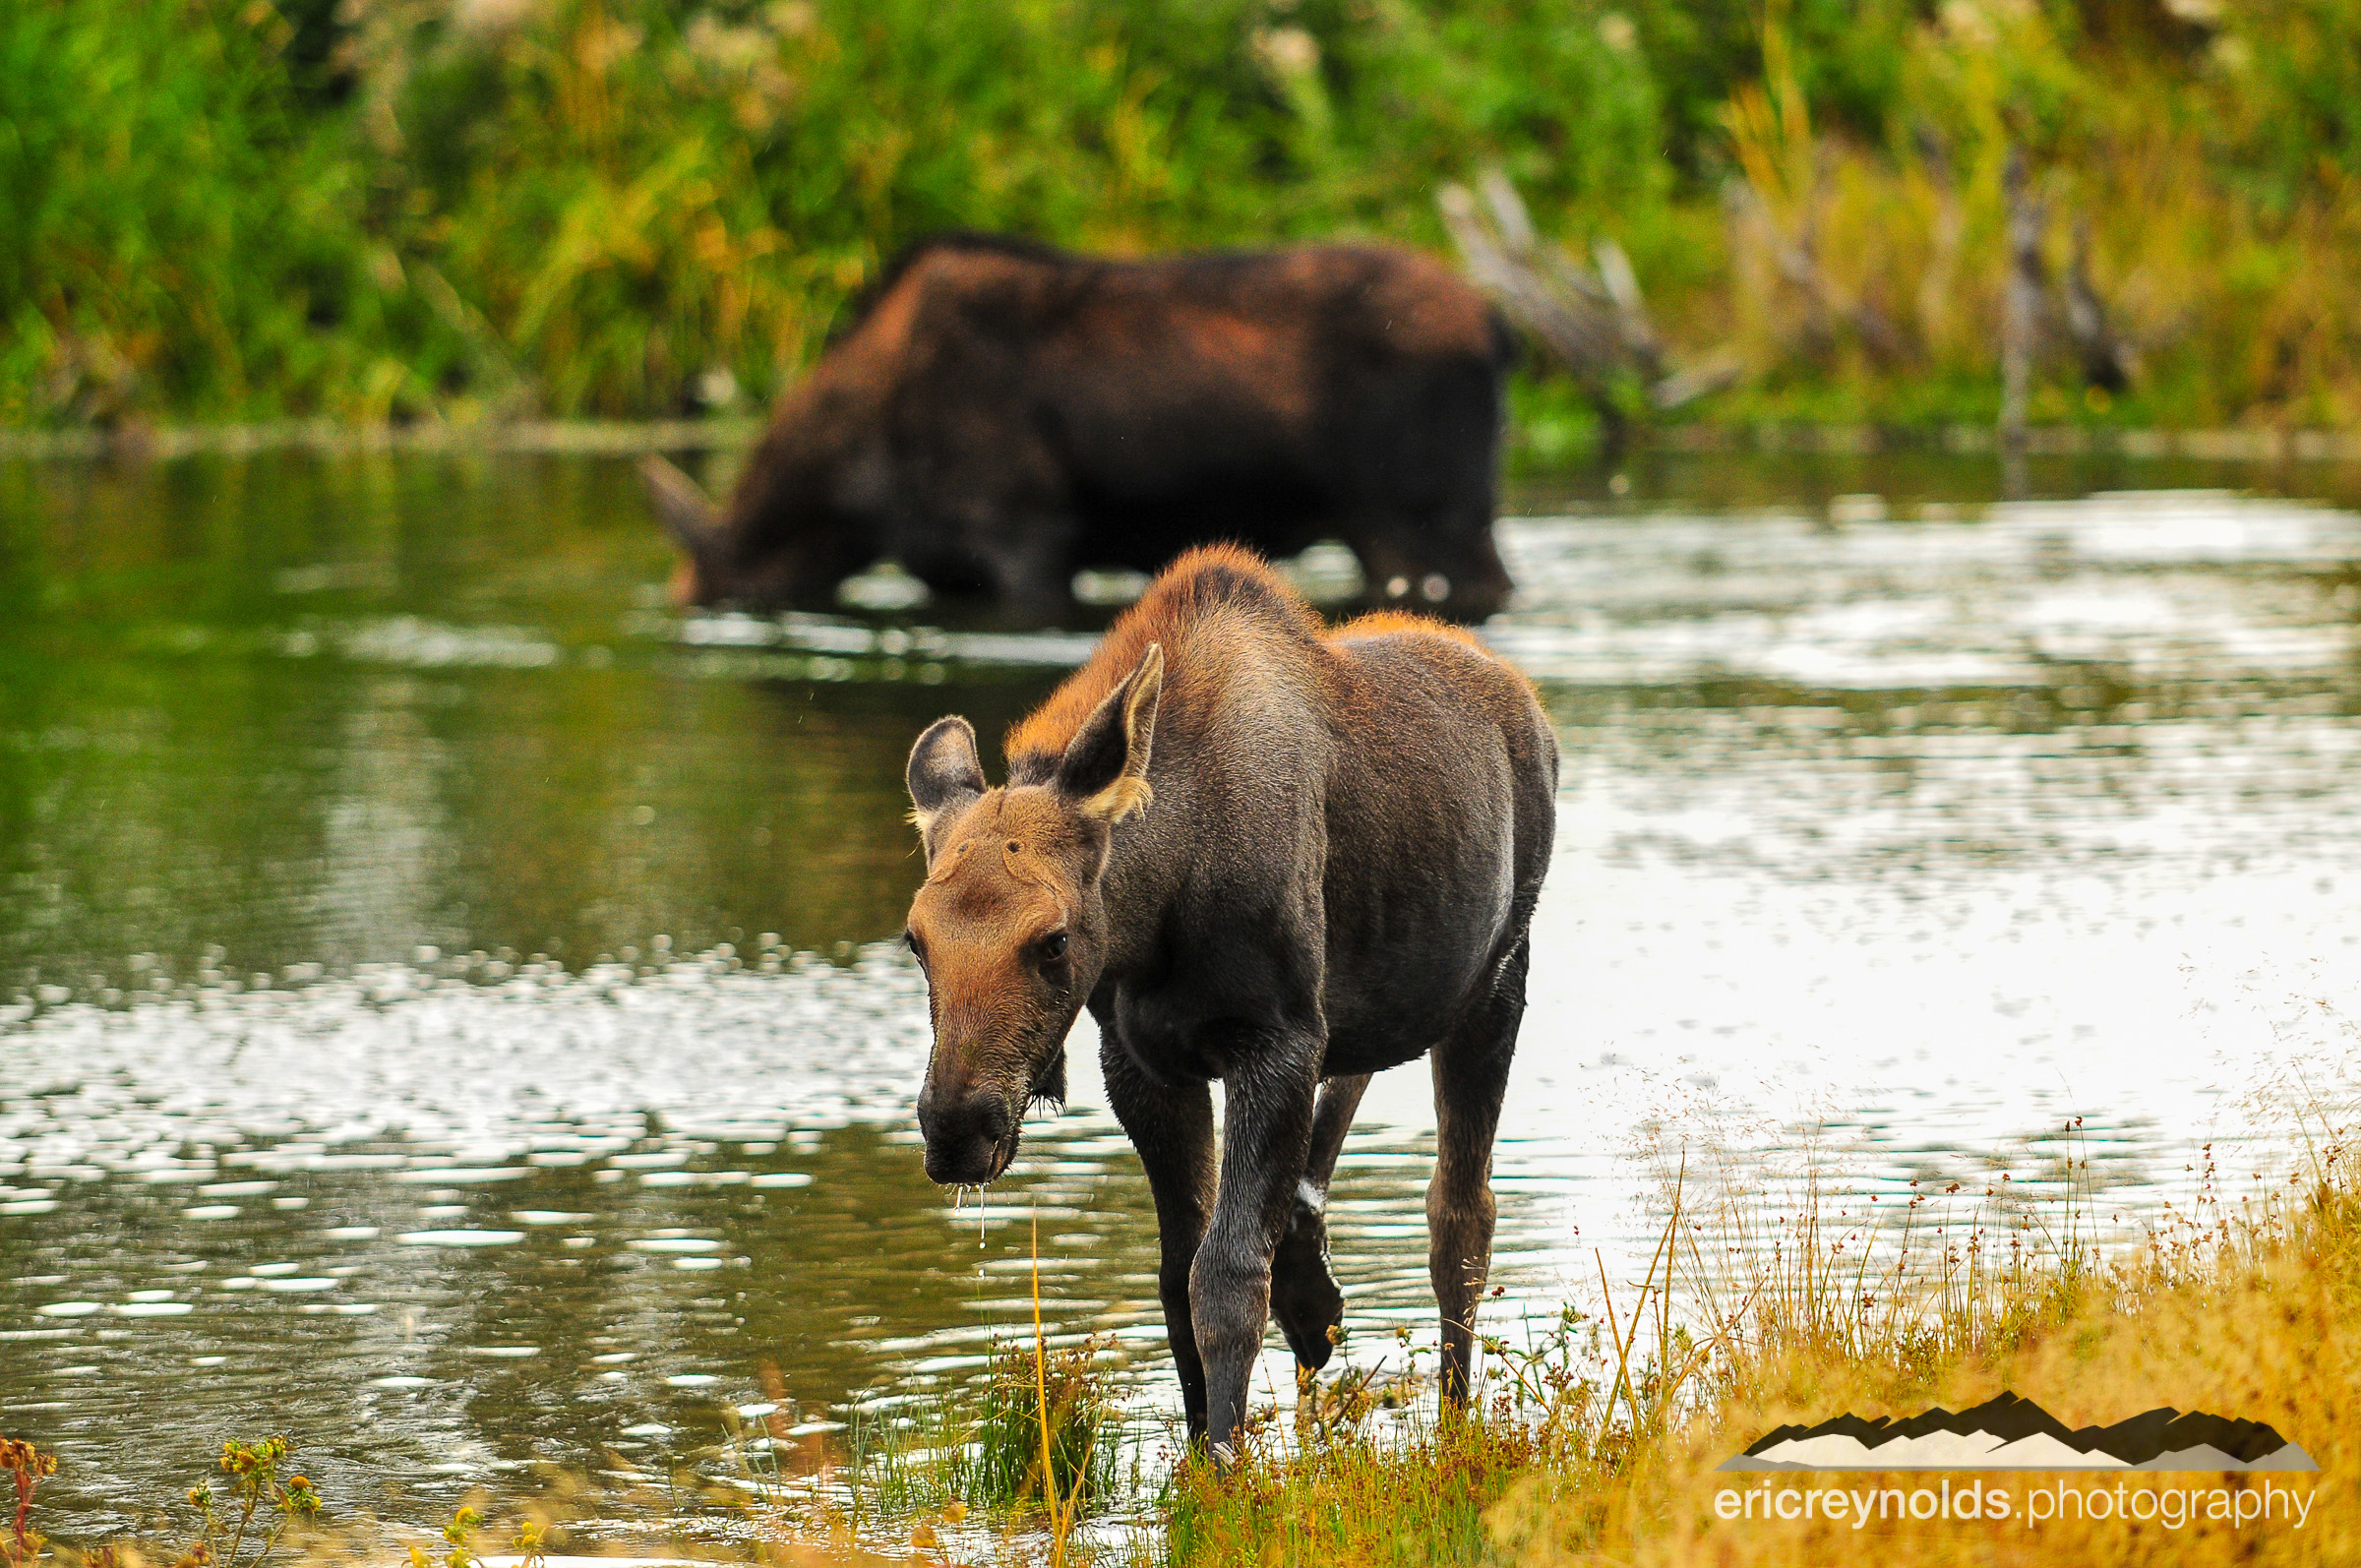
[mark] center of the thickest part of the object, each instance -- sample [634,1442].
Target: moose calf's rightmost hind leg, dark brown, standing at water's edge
[1472,1078]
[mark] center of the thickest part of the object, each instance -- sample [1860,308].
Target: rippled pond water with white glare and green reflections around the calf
[450,1005]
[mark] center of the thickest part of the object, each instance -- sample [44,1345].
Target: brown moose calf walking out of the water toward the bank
[1264,854]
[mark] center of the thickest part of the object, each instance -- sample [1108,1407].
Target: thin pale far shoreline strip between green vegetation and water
[641,438]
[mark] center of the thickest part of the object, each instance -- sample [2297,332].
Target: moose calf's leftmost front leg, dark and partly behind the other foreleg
[1175,1135]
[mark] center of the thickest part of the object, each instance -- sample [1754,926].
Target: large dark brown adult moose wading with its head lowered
[1002,414]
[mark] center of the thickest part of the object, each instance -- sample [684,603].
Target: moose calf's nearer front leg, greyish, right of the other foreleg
[1264,1137]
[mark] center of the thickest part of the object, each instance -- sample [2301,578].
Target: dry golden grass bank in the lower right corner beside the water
[1602,1446]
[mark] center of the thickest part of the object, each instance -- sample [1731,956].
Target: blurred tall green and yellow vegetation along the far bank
[462,209]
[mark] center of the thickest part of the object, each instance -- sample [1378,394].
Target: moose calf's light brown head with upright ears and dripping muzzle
[1009,925]
